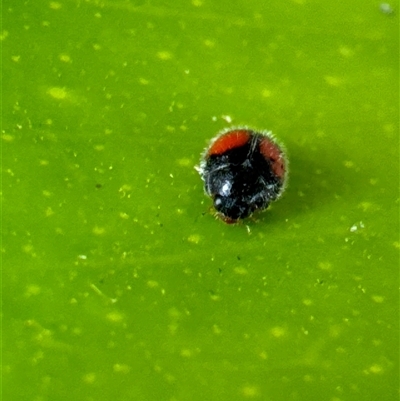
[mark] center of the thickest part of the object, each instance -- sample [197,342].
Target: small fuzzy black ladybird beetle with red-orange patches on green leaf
[243,171]
